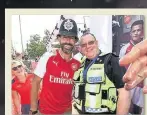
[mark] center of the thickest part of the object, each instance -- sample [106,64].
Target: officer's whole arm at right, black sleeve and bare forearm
[123,103]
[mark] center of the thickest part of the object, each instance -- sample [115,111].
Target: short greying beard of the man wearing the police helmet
[67,50]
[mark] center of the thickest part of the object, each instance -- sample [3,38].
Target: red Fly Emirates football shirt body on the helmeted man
[56,94]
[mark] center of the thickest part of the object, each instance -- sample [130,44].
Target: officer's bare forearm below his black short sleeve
[123,103]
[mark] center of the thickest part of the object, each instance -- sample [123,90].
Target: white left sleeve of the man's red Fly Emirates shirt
[41,66]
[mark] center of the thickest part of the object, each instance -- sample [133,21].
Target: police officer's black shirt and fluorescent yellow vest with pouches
[96,84]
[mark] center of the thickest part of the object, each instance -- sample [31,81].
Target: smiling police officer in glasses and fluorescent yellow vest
[99,88]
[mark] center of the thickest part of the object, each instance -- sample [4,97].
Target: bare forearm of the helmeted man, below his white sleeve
[34,92]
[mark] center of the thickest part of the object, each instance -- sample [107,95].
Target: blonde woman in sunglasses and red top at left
[21,87]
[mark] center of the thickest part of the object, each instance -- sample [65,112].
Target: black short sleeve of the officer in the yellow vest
[117,72]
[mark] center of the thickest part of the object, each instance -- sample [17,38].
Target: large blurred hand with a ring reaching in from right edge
[137,71]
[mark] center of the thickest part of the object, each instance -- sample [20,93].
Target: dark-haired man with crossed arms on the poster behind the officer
[137,34]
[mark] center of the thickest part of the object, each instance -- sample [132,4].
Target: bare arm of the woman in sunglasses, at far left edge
[16,101]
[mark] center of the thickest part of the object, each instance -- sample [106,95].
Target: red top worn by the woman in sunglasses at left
[24,89]
